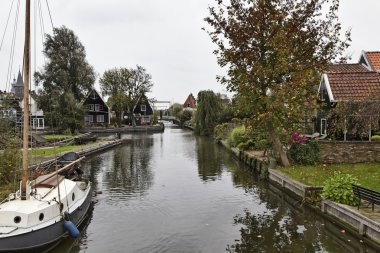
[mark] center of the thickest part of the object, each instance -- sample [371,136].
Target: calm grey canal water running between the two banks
[174,192]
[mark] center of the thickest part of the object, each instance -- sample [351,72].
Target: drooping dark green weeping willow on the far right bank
[207,115]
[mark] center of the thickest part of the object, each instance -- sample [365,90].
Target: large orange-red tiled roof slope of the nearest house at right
[354,86]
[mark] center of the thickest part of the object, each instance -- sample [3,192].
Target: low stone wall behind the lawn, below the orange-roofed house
[349,151]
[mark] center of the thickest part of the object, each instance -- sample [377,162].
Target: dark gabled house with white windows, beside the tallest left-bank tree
[96,110]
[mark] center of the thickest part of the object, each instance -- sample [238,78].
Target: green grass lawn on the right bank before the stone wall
[367,173]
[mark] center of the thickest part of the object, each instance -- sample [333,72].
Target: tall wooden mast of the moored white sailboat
[25,145]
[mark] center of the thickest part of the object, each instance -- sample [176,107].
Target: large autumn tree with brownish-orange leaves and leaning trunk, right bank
[274,51]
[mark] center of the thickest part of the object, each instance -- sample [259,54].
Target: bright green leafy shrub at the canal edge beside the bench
[338,188]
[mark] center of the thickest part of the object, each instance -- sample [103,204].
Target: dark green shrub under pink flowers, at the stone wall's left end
[305,153]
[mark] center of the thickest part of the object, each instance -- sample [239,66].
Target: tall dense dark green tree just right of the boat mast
[64,80]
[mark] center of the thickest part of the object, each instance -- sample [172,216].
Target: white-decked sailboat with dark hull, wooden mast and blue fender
[47,209]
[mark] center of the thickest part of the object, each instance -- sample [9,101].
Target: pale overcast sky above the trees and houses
[164,36]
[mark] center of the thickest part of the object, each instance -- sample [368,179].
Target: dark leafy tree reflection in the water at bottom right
[285,226]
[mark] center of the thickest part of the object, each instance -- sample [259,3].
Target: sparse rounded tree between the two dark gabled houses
[124,87]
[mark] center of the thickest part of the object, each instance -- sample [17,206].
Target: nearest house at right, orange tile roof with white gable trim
[348,83]
